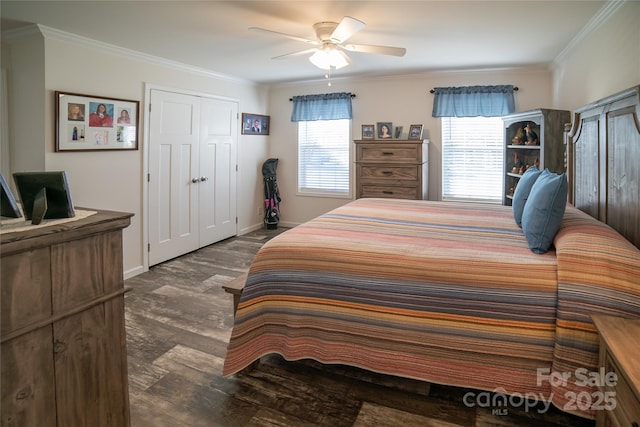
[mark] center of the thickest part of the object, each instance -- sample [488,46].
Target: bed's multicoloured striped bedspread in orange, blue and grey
[448,293]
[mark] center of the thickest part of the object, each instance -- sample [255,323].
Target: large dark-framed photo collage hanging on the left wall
[89,122]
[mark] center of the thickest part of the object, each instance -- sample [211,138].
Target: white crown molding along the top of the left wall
[11,36]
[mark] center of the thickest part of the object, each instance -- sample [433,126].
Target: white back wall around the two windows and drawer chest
[402,100]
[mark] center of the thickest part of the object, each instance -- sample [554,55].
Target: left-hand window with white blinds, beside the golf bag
[323,157]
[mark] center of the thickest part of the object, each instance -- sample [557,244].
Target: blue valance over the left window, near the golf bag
[326,106]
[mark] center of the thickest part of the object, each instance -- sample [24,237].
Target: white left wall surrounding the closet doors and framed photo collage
[113,180]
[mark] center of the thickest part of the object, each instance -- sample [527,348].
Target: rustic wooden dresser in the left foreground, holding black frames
[64,358]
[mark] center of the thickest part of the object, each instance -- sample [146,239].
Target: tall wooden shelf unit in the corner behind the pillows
[548,152]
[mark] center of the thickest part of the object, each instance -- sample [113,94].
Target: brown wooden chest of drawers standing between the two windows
[392,169]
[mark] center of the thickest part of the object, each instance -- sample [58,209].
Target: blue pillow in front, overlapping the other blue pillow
[544,210]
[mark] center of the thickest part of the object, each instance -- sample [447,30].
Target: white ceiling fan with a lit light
[330,44]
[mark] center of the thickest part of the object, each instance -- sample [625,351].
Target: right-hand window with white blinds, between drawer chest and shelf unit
[472,159]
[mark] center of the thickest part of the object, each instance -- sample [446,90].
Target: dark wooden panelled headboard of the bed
[603,161]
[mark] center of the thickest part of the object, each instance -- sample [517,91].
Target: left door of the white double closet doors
[174,126]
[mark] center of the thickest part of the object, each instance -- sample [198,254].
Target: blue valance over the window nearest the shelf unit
[473,101]
